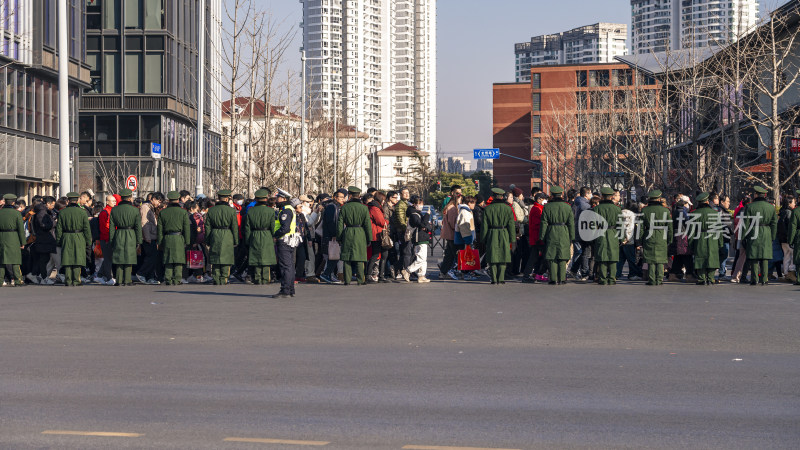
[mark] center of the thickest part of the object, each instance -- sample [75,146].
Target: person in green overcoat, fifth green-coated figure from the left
[222,235]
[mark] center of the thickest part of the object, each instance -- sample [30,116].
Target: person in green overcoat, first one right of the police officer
[354,231]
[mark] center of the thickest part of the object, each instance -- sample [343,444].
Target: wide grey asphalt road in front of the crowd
[449,364]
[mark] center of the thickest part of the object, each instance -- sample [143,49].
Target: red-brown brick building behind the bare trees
[546,120]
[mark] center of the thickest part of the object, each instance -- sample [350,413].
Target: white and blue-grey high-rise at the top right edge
[662,25]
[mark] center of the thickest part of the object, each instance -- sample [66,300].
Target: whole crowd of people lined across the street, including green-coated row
[381,237]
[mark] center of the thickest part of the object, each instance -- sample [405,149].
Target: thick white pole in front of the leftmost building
[64,175]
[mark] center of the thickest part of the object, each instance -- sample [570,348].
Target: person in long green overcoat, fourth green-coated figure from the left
[174,236]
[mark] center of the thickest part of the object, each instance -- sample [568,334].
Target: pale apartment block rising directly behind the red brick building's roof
[597,43]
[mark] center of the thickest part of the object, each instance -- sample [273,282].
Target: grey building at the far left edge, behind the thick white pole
[29,150]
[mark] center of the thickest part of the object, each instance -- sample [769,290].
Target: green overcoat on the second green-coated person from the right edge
[760,223]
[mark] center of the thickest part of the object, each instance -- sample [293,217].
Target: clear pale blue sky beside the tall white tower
[476,48]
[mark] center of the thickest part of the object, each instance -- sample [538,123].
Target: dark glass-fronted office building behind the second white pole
[143,58]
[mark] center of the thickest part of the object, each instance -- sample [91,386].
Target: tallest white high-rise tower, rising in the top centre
[380,71]
